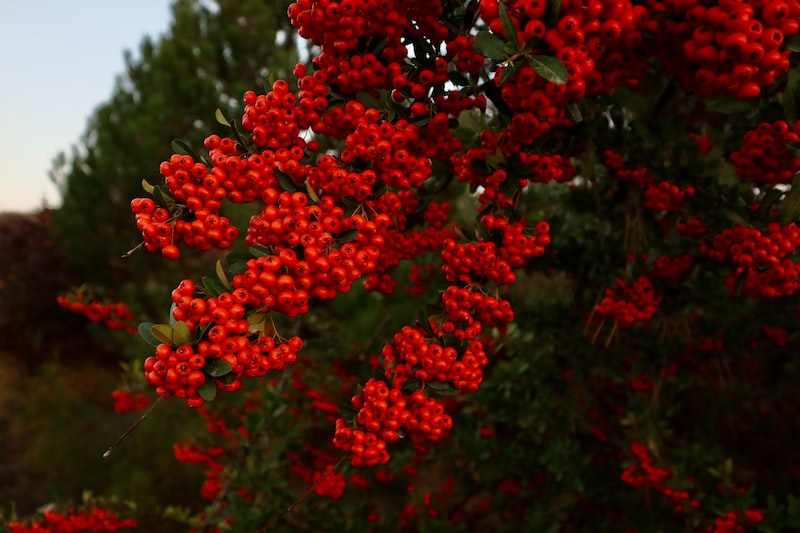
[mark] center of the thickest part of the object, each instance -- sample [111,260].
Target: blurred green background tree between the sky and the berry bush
[211,54]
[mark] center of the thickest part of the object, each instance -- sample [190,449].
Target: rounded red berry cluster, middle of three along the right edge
[763,157]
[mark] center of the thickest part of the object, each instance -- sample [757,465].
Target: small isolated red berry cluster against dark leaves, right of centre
[629,305]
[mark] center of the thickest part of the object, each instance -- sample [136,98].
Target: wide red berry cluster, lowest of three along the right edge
[759,258]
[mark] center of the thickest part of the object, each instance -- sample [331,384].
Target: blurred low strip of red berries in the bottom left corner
[75,521]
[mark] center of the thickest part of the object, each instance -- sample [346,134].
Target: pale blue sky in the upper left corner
[59,60]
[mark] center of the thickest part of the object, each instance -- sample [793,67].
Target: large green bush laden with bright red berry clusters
[524,265]
